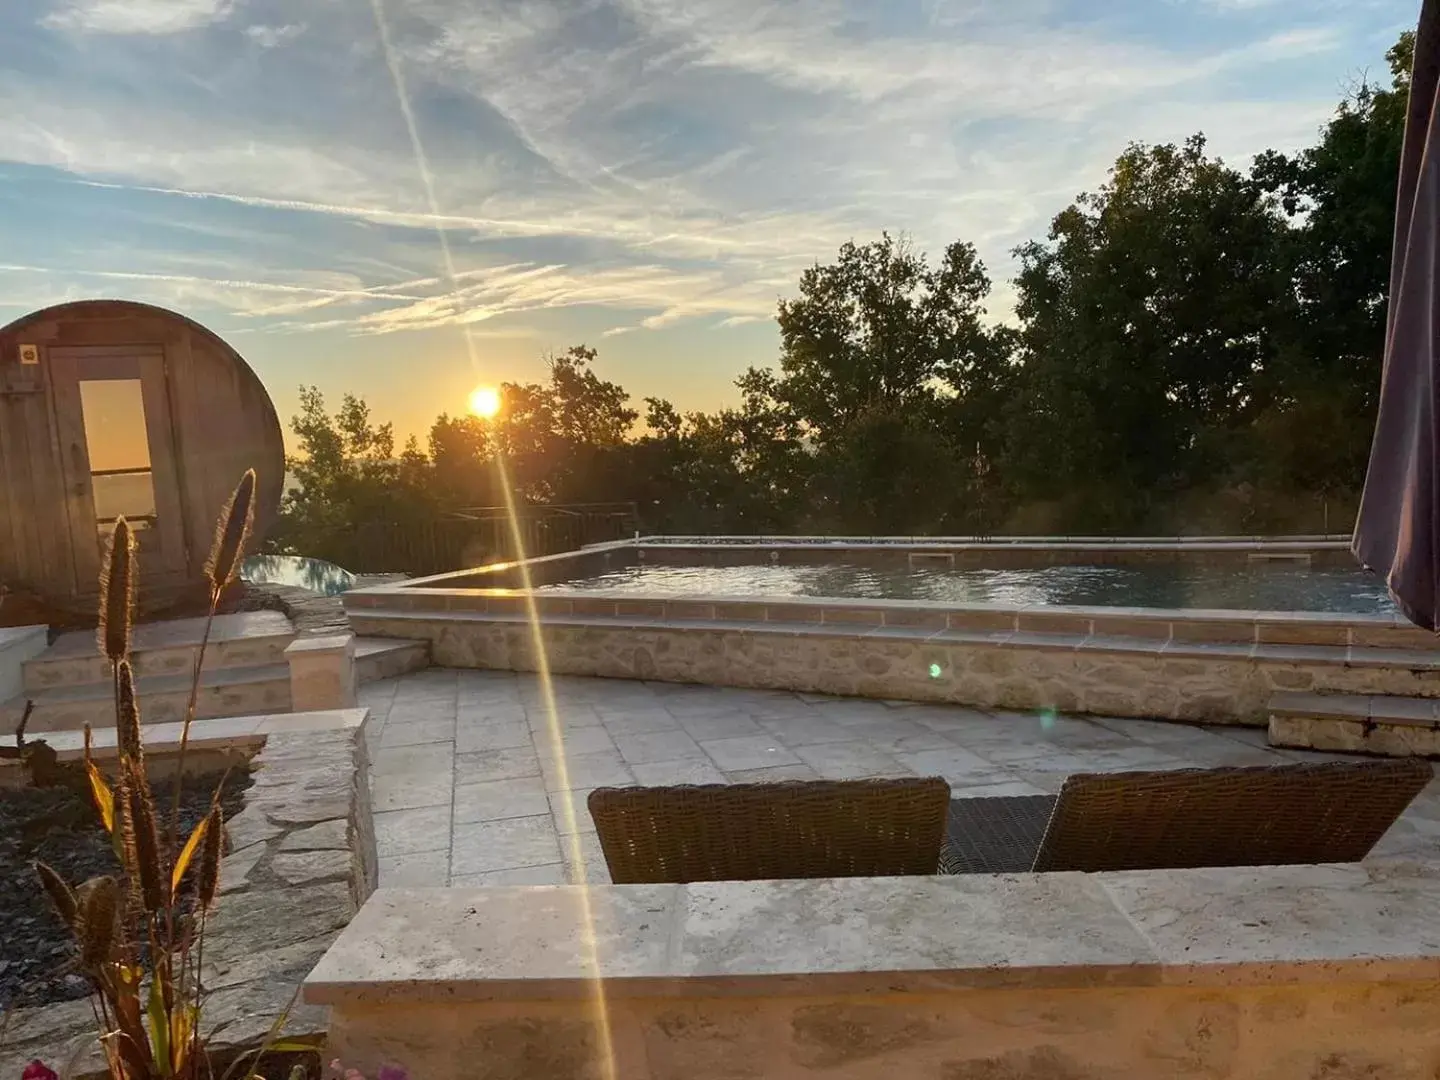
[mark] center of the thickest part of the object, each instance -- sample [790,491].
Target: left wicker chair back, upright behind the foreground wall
[758,832]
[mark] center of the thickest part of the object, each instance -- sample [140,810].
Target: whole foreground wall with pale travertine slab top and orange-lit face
[1274,974]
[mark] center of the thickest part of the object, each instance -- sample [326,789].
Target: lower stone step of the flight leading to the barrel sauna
[258,689]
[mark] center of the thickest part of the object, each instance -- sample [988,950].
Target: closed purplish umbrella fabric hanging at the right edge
[1398,534]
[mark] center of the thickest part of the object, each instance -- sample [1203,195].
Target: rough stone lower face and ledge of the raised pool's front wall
[1213,682]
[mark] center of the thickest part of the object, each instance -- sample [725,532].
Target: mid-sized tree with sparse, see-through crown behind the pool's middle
[869,351]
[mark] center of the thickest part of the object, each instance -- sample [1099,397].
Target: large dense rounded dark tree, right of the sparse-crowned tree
[1148,319]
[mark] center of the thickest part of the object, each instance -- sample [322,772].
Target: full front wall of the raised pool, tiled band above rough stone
[1218,667]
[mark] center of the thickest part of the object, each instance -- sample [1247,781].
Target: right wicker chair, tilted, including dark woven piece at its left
[1184,819]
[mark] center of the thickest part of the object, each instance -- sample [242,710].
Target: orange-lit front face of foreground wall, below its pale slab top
[1386,1032]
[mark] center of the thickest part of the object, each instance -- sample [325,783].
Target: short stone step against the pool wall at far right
[1357,724]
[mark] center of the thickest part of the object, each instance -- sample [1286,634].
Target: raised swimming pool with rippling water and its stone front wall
[1197,630]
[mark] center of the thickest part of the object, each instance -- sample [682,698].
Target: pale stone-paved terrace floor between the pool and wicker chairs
[469,788]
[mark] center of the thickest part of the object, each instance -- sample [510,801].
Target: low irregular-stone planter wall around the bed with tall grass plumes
[302,862]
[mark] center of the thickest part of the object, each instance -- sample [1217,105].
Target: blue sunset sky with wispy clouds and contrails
[404,199]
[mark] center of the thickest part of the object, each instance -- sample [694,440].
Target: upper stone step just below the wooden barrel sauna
[166,649]
